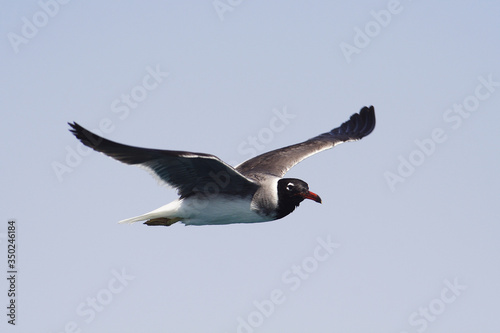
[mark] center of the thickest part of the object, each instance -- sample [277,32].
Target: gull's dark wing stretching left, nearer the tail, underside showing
[190,173]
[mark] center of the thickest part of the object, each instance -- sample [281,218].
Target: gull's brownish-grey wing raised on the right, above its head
[279,161]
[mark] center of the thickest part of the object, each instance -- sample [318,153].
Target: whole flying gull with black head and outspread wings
[212,192]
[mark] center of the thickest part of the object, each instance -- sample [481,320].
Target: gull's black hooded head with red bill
[291,192]
